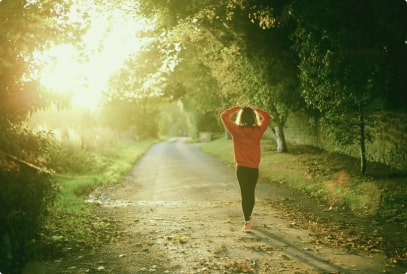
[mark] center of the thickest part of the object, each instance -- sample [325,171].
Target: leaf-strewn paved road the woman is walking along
[188,203]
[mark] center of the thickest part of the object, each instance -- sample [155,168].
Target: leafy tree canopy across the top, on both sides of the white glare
[332,57]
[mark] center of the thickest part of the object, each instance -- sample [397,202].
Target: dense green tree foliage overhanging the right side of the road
[263,52]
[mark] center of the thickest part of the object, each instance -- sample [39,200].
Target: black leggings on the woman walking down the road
[247,178]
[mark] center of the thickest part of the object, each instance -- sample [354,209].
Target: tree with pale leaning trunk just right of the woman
[268,49]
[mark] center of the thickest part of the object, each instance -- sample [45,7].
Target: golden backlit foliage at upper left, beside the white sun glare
[28,27]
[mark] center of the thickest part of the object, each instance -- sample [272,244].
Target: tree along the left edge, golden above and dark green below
[26,187]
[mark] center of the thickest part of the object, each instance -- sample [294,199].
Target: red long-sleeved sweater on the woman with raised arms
[246,140]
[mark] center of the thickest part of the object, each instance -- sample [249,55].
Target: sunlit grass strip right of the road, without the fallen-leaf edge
[333,178]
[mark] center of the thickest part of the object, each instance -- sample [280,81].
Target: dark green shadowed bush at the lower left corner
[25,195]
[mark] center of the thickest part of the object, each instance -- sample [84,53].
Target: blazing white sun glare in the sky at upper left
[65,73]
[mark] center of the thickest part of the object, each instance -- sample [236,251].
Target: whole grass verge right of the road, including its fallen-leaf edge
[379,198]
